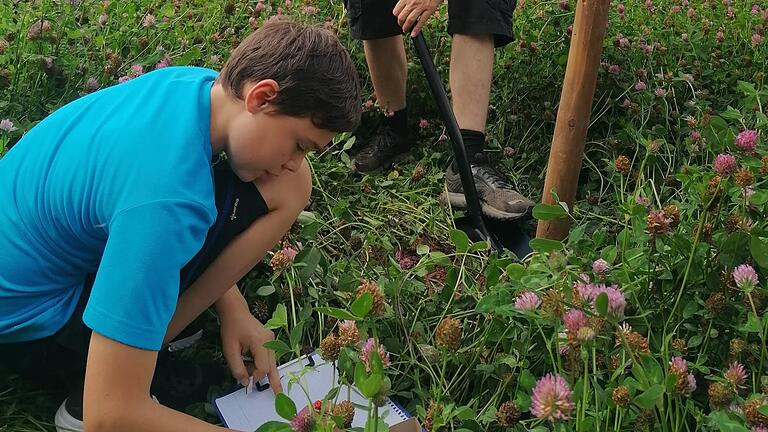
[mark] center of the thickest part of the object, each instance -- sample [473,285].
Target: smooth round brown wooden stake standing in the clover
[567,151]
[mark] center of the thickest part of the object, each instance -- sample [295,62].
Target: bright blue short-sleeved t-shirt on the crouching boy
[120,181]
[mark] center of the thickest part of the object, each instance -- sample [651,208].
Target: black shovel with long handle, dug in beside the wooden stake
[499,234]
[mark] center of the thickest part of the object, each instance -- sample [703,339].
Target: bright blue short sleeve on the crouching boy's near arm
[137,283]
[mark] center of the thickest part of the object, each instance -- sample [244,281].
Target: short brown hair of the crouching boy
[317,78]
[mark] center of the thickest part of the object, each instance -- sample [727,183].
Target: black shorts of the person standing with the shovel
[373,19]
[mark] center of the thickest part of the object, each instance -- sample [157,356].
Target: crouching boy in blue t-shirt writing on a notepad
[119,185]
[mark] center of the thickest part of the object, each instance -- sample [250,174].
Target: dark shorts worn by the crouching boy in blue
[239,204]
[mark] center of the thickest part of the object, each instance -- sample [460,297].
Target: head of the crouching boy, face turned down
[296,87]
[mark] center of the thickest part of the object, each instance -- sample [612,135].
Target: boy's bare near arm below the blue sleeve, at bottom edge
[116,398]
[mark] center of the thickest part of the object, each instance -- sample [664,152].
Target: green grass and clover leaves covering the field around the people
[359,223]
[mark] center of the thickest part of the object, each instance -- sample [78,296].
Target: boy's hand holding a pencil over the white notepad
[241,333]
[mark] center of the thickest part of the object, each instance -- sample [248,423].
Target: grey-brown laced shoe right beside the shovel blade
[497,198]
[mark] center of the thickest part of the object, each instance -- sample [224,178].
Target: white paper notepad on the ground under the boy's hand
[246,412]
